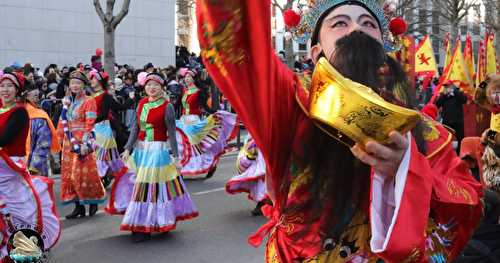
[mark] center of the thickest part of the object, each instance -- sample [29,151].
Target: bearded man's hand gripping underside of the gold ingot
[384,159]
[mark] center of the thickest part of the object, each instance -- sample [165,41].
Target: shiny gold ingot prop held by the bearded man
[353,113]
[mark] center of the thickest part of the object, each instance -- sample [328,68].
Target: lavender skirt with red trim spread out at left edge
[30,202]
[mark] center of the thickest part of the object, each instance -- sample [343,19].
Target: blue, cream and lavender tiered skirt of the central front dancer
[159,197]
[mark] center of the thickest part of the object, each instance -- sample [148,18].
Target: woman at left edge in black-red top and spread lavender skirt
[27,204]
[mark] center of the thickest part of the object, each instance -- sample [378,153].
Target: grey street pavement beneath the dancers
[219,234]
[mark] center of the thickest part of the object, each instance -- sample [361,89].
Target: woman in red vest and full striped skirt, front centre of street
[159,197]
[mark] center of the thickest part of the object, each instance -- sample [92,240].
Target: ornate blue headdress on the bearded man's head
[314,10]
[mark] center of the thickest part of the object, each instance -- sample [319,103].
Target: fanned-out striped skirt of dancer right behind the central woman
[208,139]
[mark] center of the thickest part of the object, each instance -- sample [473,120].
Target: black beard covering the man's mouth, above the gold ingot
[359,57]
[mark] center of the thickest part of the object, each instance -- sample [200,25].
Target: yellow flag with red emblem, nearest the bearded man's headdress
[425,63]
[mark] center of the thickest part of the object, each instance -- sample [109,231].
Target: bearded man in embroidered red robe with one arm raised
[408,200]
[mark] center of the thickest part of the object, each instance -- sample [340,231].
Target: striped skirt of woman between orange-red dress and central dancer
[106,151]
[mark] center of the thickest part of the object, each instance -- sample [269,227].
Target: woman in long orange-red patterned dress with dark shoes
[80,182]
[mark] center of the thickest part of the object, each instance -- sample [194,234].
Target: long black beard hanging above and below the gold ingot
[340,183]
